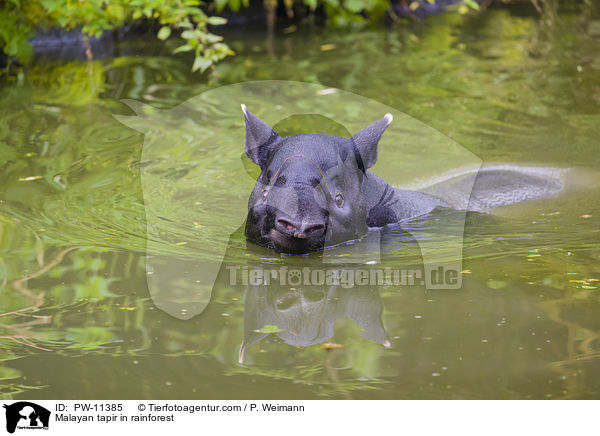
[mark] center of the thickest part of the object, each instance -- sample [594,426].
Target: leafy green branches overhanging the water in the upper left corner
[18,21]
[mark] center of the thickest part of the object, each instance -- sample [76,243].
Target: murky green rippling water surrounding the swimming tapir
[81,221]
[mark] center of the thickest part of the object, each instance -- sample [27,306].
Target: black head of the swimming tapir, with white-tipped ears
[310,193]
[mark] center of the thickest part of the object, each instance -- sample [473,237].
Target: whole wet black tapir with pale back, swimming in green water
[316,190]
